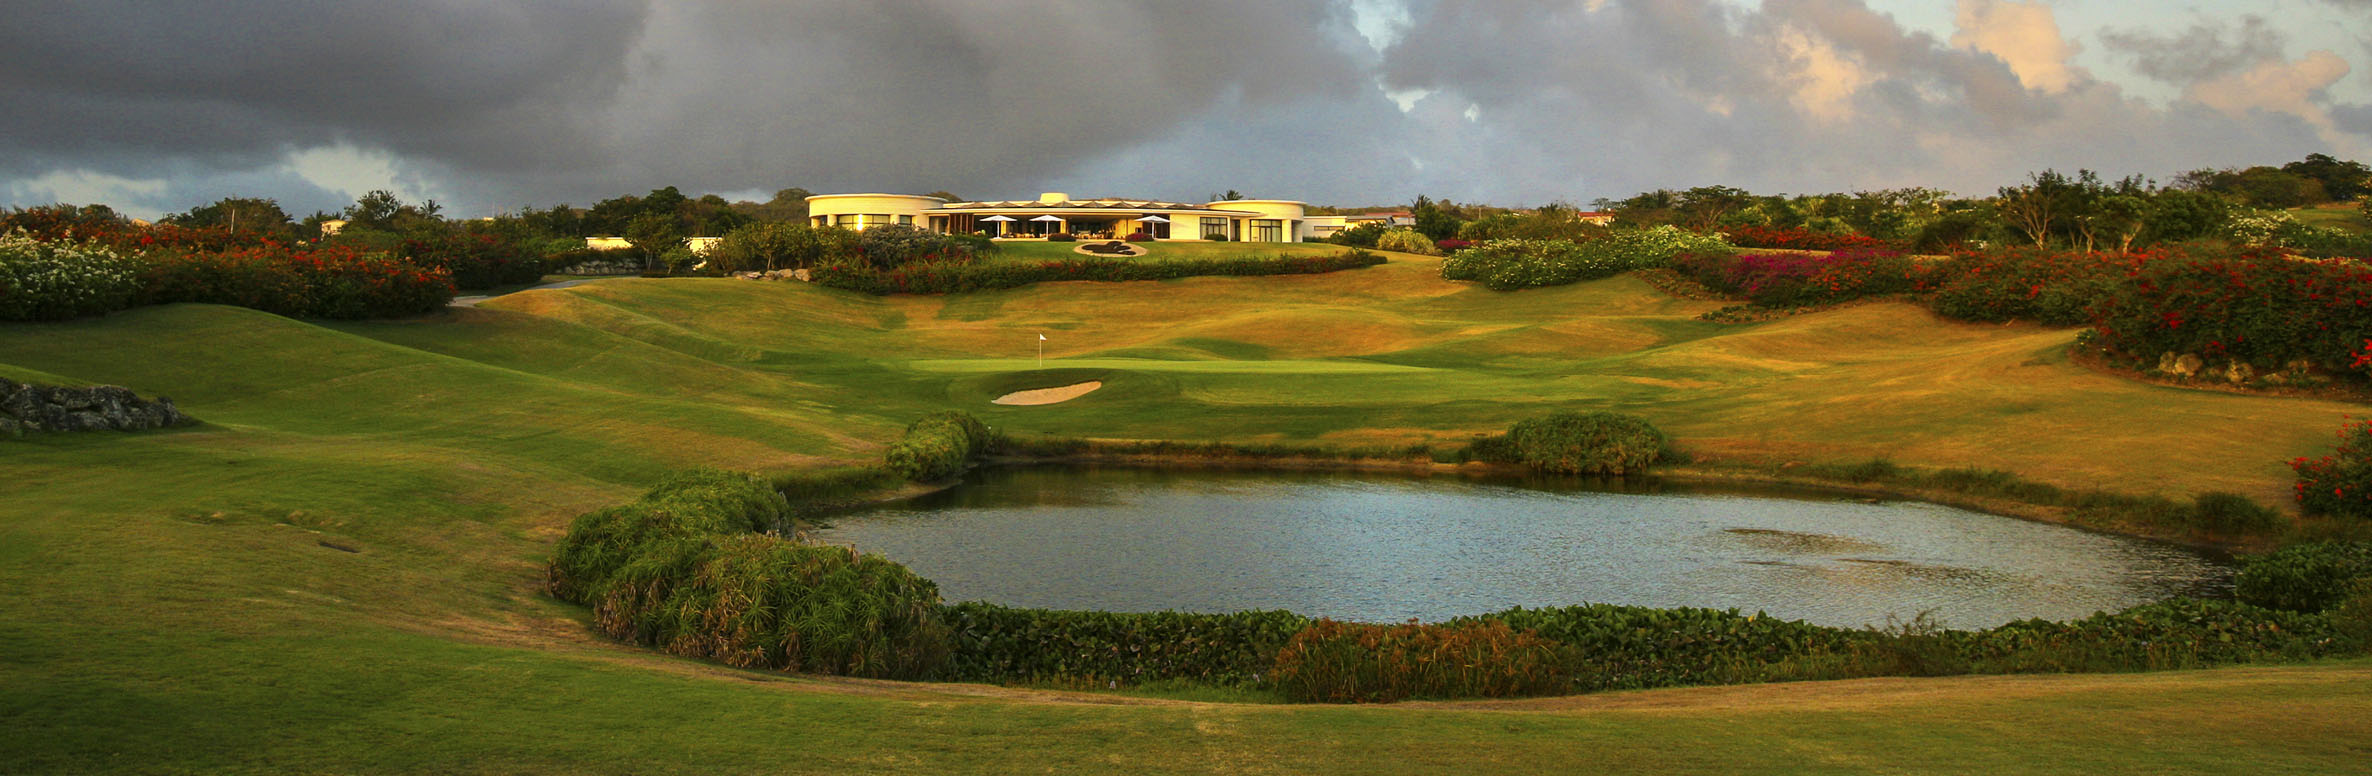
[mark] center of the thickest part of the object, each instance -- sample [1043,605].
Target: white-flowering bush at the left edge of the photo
[56,281]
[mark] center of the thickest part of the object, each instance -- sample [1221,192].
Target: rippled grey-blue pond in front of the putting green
[1386,549]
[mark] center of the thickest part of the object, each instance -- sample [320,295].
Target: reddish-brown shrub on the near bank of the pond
[1382,663]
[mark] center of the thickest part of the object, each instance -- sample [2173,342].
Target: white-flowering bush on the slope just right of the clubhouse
[1512,265]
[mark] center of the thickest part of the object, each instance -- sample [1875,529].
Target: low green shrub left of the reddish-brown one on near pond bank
[1016,644]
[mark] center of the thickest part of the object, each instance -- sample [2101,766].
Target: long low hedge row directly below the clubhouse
[969,276]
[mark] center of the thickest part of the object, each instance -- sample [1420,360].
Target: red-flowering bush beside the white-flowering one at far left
[310,284]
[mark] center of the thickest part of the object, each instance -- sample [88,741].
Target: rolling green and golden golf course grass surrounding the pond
[340,568]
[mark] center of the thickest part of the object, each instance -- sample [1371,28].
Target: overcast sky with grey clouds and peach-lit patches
[487,106]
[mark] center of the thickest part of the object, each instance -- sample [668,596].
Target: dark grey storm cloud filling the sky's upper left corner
[134,87]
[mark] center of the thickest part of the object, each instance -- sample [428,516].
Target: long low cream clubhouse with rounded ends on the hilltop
[1090,220]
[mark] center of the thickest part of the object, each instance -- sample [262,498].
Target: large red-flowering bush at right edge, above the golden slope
[2255,307]
